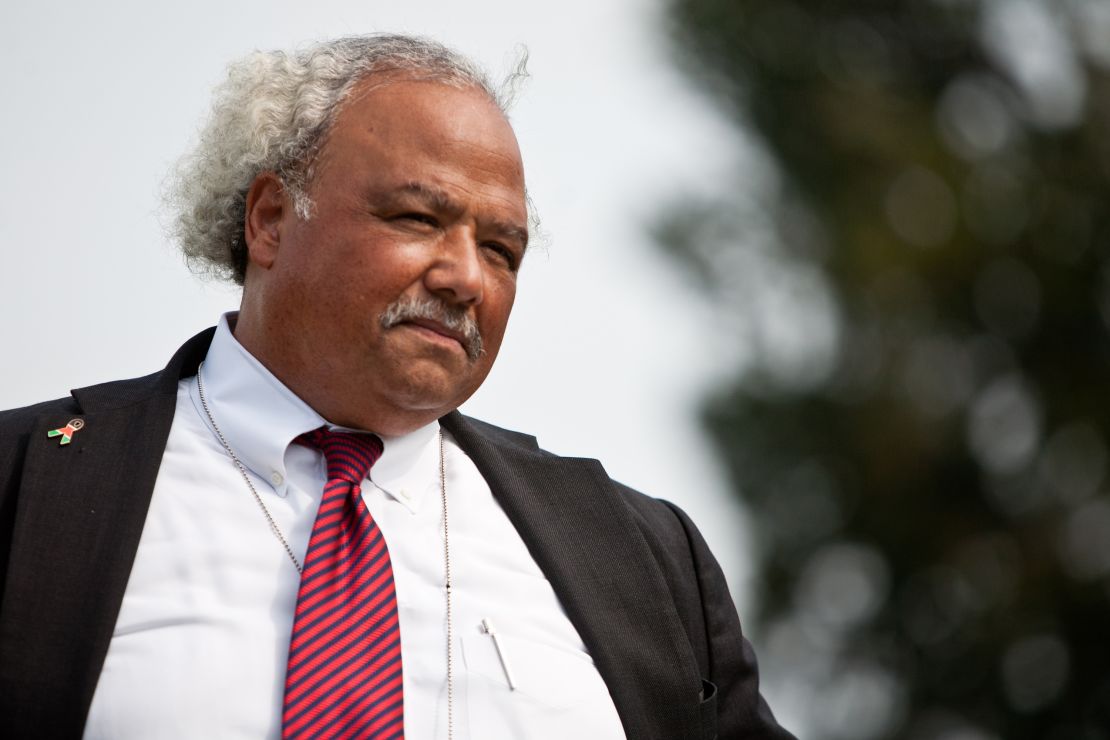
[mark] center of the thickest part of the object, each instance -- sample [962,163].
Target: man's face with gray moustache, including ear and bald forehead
[369,309]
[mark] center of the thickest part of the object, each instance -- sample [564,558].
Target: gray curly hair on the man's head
[273,114]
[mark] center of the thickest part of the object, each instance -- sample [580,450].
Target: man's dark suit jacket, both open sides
[634,575]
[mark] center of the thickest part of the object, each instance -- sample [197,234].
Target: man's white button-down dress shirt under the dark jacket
[200,646]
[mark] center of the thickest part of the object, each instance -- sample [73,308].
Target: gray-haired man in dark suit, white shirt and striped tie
[224,550]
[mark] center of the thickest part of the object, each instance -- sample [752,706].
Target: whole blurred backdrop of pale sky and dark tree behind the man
[832,277]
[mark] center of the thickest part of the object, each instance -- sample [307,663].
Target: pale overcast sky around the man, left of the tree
[609,349]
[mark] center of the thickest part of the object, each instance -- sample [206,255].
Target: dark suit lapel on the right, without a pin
[584,539]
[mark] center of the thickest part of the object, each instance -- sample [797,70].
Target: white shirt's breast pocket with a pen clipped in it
[558,693]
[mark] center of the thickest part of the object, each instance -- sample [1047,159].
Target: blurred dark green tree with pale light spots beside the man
[916,275]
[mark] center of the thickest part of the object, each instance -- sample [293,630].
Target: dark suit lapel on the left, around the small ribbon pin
[80,515]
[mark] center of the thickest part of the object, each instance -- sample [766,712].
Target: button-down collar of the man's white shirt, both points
[260,418]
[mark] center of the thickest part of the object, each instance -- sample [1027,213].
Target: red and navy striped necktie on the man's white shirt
[344,680]
